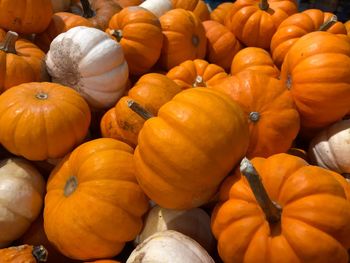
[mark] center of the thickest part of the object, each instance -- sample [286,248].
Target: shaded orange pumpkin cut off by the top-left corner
[26,16]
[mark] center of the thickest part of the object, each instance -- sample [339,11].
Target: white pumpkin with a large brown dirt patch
[92,63]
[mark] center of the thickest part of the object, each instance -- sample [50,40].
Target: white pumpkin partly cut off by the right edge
[331,147]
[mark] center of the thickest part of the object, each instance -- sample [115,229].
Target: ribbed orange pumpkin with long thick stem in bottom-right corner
[282,210]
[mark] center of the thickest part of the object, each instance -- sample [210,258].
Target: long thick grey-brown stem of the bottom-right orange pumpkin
[272,210]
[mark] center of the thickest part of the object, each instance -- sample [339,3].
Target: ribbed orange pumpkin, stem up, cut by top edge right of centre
[254,22]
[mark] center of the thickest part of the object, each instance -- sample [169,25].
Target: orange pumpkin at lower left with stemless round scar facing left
[94,195]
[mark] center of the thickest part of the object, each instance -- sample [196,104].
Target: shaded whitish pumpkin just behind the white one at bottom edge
[194,223]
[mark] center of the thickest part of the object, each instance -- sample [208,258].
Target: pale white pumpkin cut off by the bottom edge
[169,247]
